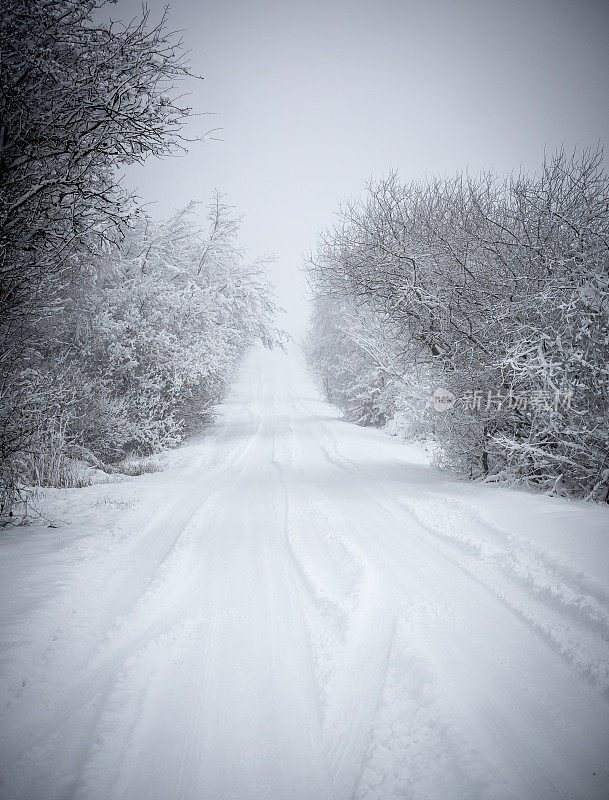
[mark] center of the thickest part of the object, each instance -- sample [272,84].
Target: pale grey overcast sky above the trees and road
[313,98]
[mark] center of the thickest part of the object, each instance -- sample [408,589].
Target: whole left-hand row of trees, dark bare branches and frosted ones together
[118,332]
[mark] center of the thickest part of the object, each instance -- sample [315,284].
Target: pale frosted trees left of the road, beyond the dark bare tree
[149,339]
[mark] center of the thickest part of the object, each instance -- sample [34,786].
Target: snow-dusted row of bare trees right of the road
[472,313]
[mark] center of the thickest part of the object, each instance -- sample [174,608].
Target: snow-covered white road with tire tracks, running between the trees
[298,609]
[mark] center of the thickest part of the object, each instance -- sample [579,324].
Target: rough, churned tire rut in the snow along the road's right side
[555,606]
